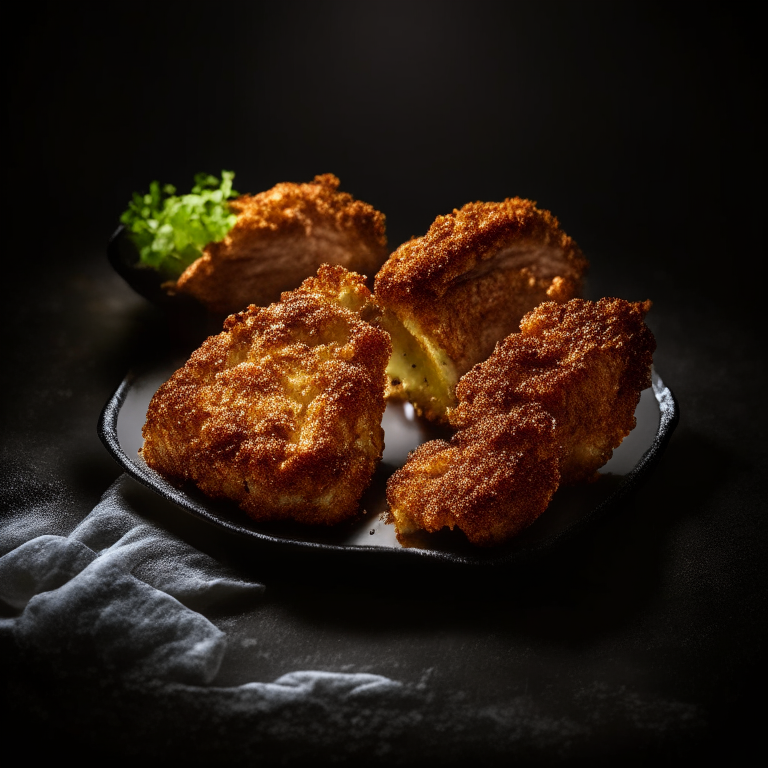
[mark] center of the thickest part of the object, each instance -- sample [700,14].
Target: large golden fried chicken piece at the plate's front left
[281,412]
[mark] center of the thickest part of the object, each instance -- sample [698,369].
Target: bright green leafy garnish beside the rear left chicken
[171,231]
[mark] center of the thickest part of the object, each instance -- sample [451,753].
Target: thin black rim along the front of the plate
[669,416]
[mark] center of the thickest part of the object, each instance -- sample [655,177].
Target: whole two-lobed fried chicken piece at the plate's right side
[548,407]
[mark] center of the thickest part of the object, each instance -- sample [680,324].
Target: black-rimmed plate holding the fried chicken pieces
[571,510]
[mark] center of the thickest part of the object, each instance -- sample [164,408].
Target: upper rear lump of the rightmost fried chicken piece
[584,362]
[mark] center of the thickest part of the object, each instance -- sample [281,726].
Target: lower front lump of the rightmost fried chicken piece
[490,481]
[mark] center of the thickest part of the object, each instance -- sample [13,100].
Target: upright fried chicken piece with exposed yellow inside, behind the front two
[450,295]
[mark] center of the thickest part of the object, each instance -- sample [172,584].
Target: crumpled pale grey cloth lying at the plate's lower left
[121,595]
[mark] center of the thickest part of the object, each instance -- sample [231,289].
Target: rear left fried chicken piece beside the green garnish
[281,237]
